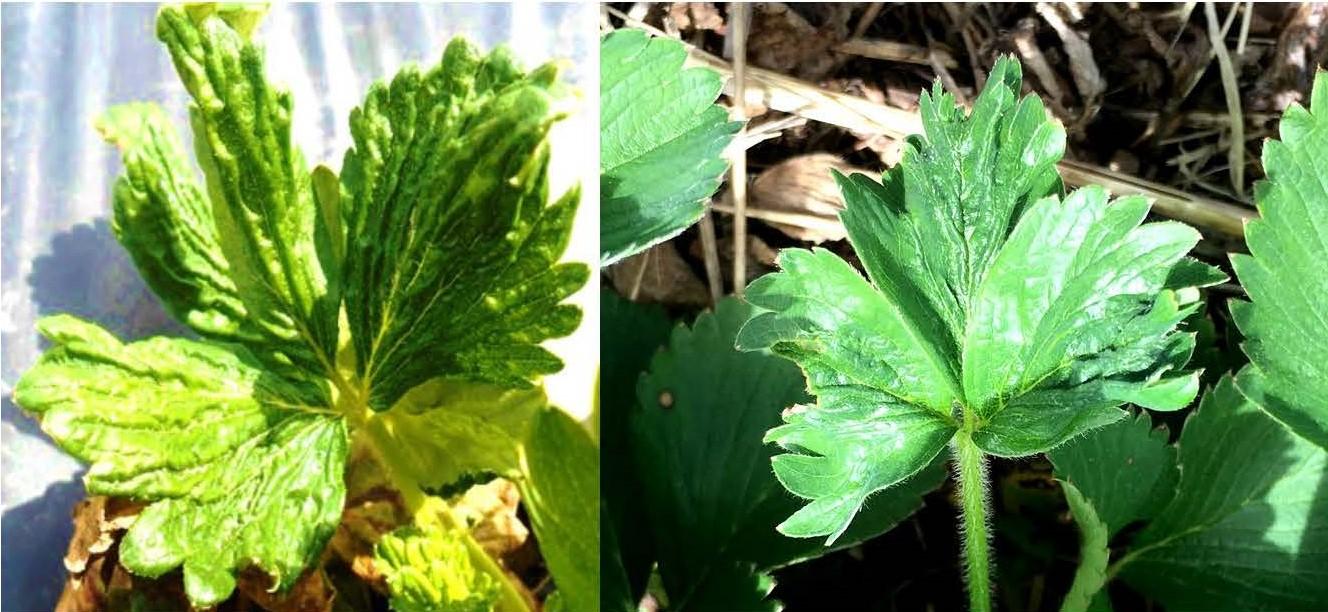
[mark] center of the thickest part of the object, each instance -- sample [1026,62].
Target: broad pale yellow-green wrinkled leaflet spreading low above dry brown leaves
[241,468]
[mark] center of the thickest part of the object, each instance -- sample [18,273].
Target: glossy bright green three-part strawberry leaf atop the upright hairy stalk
[995,309]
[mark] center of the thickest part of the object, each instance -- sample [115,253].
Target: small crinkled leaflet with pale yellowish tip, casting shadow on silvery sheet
[164,220]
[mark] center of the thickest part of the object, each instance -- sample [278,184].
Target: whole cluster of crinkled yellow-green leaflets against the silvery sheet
[399,306]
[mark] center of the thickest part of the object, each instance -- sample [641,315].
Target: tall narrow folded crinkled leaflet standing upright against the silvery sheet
[258,184]
